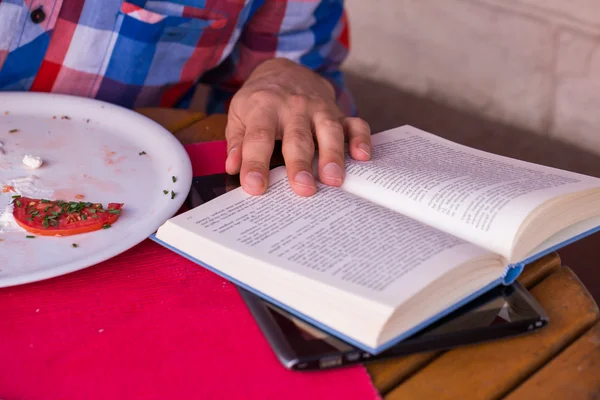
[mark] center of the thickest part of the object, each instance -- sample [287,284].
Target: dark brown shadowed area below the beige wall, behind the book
[385,107]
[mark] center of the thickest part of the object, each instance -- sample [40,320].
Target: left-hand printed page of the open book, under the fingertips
[333,237]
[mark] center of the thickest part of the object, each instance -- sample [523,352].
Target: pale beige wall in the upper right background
[531,63]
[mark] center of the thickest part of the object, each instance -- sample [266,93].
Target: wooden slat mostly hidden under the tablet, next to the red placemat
[390,373]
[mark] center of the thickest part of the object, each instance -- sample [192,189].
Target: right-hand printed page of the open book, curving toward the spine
[480,197]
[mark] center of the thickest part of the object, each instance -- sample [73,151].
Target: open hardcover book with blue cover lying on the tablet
[413,234]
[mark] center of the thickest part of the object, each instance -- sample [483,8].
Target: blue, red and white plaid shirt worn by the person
[141,53]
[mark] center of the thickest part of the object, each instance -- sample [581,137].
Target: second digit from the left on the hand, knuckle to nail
[257,147]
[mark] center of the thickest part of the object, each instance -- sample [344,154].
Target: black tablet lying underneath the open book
[502,312]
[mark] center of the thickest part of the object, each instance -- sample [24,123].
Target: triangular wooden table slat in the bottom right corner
[571,375]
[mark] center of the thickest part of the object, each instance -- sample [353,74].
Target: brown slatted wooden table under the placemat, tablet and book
[561,361]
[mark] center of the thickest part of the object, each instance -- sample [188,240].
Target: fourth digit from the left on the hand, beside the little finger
[330,137]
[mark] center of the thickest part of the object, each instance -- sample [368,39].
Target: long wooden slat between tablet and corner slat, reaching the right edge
[490,370]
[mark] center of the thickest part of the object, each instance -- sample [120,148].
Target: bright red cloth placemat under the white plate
[148,324]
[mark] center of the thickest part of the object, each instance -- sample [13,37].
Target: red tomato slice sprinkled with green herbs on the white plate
[62,218]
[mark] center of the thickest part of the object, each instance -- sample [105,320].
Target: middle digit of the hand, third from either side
[298,150]
